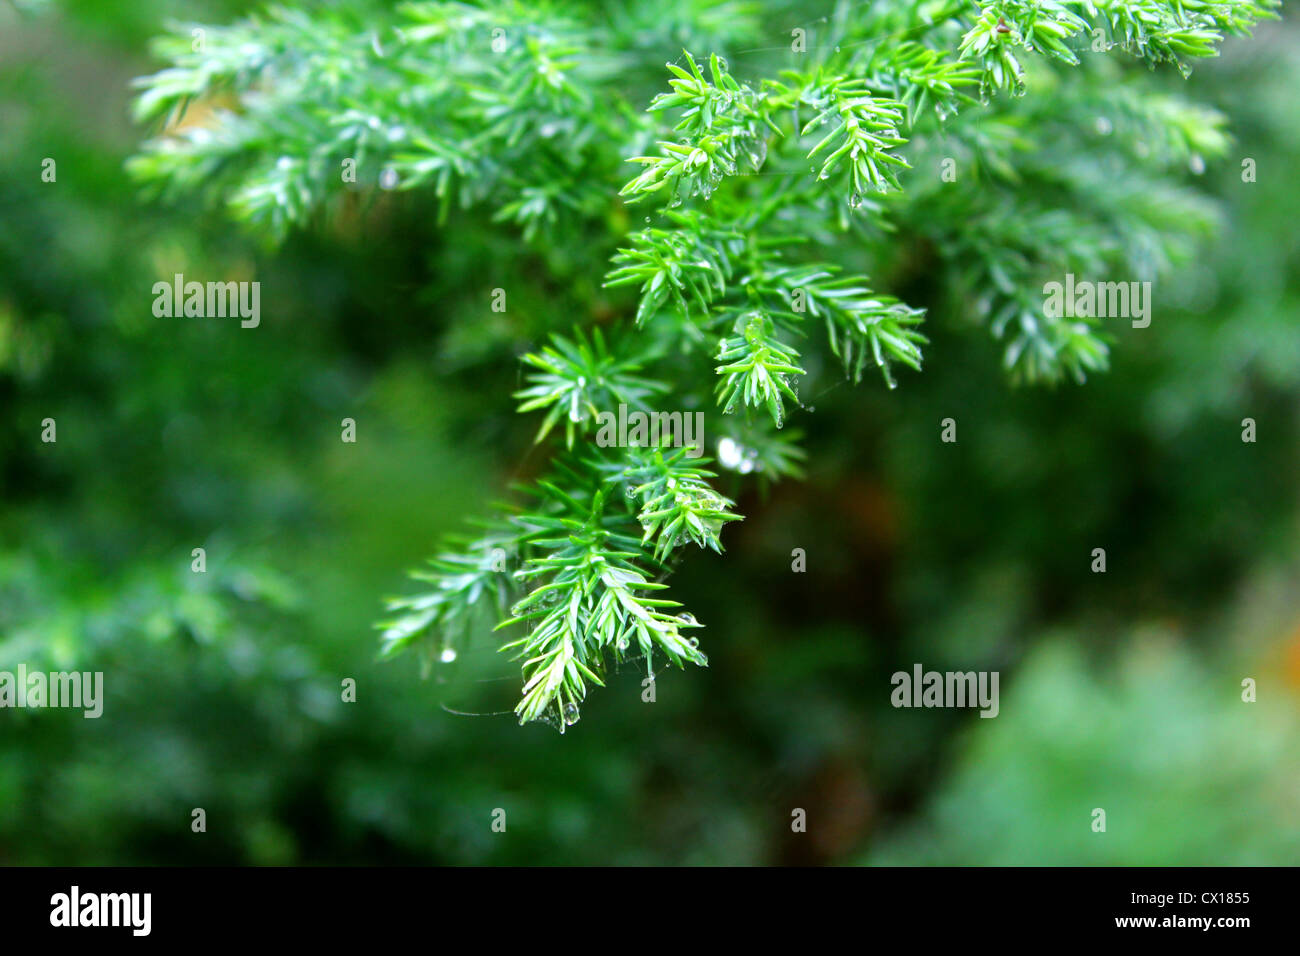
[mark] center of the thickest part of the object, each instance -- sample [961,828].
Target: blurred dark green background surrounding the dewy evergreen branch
[1120,691]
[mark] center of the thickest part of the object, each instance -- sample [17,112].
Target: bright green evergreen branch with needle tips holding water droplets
[790,178]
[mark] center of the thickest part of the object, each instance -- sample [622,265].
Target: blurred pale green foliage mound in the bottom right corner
[1185,773]
